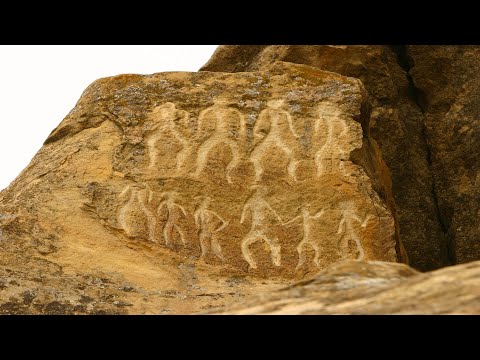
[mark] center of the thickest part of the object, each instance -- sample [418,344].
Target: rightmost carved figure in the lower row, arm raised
[346,228]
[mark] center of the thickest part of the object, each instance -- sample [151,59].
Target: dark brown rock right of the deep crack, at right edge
[448,80]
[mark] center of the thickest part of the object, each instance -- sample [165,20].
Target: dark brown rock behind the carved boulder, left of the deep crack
[397,125]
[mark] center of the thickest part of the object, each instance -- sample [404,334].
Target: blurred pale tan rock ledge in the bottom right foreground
[373,288]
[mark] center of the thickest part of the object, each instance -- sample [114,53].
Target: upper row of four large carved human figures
[223,124]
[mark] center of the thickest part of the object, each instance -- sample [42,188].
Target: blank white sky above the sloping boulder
[40,84]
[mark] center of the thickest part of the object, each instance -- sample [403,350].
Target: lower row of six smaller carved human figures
[209,224]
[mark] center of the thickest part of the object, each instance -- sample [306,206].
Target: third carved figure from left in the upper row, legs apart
[274,127]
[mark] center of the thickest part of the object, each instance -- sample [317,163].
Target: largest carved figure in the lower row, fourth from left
[259,209]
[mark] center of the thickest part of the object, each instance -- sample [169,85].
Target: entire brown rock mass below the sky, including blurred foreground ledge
[187,192]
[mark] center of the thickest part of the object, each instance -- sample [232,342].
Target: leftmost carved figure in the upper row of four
[169,121]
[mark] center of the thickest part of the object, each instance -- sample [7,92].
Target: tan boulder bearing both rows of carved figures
[177,192]
